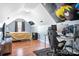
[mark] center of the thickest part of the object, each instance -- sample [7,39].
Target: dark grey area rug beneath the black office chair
[44,52]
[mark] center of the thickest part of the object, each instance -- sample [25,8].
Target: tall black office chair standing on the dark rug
[54,44]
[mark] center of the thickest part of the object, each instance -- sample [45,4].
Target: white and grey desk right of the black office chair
[70,42]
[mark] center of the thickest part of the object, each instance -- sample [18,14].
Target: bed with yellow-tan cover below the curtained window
[21,36]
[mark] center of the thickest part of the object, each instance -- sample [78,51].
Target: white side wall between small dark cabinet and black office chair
[42,32]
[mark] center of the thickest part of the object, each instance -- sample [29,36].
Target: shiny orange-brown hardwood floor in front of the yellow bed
[26,48]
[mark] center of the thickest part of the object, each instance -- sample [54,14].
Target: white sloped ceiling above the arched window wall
[28,11]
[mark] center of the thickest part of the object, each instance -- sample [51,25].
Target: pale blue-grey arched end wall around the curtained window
[11,26]
